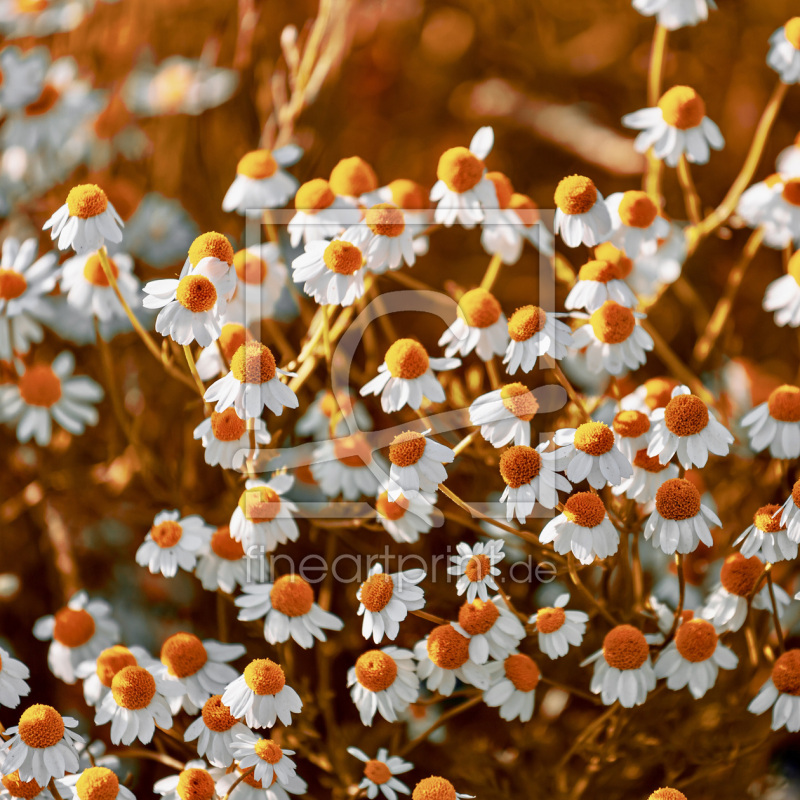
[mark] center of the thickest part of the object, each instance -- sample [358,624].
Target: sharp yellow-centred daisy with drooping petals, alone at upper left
[86,221]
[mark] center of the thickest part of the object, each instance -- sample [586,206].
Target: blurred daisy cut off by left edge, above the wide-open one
[25,281]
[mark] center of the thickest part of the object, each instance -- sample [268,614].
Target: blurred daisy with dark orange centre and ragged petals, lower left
[78,632]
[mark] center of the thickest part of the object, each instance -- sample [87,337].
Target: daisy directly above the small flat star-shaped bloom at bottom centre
[384,681]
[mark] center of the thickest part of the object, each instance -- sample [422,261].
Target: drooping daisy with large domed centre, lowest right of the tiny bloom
[622,669]
